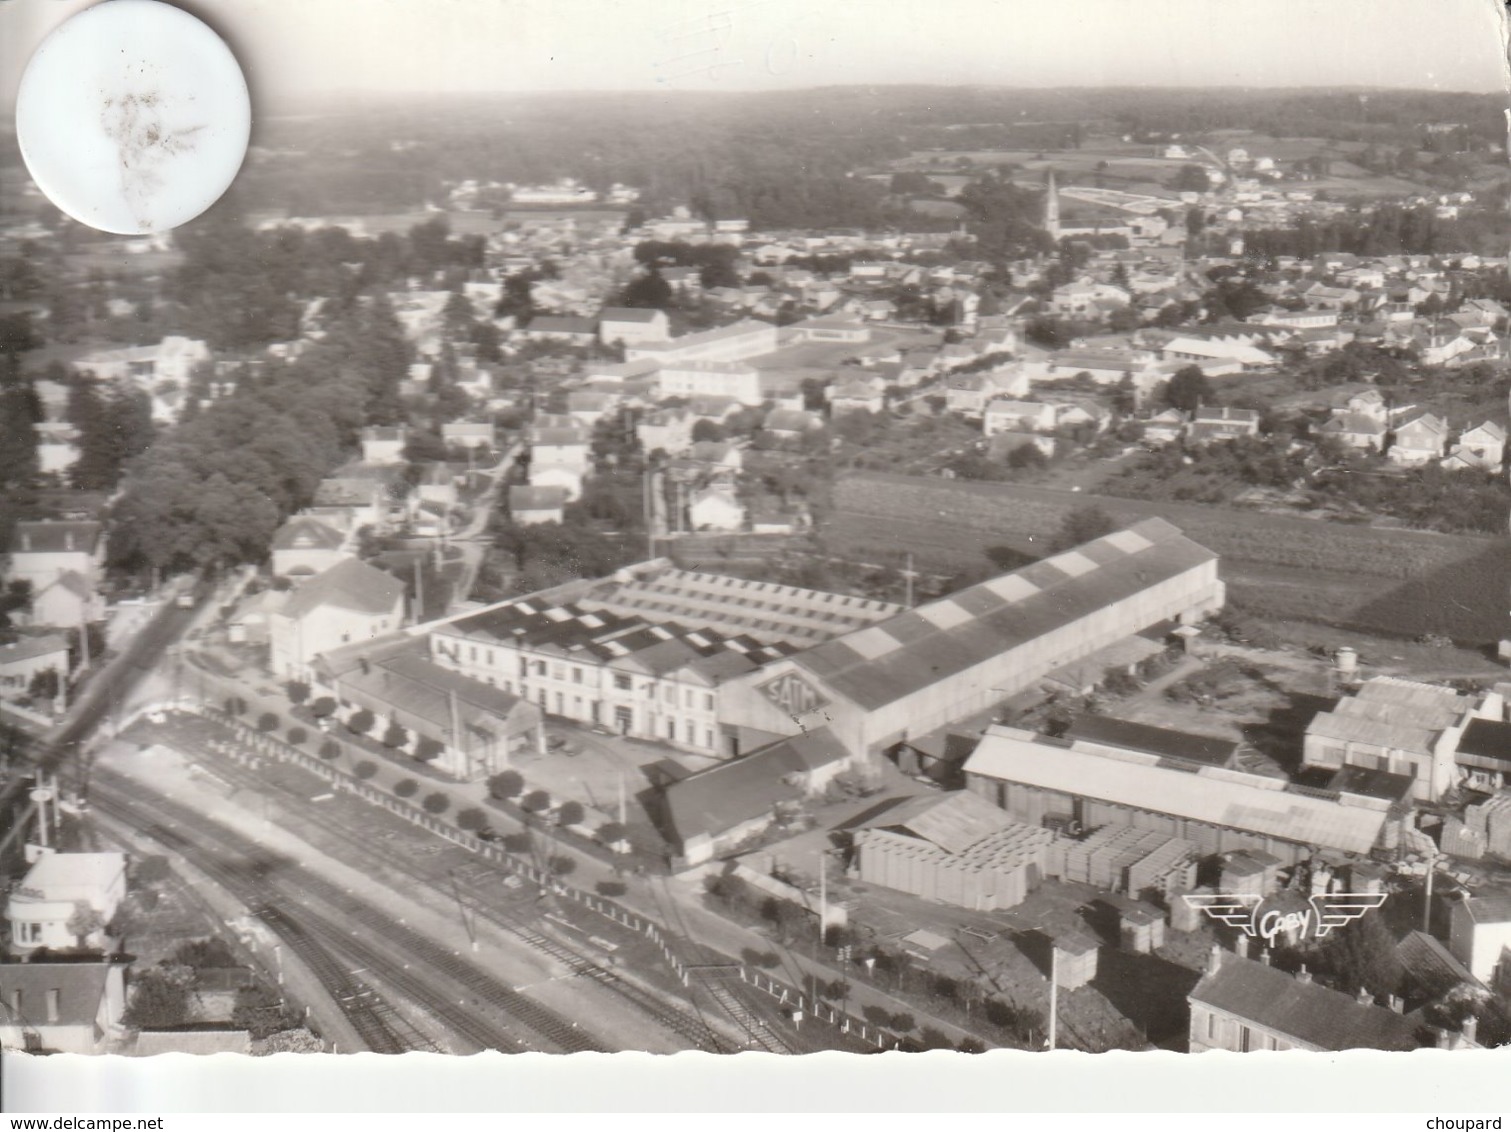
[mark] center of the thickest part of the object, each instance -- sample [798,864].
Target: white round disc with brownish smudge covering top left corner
[134,117]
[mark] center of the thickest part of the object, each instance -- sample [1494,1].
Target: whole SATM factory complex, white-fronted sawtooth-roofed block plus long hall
[728,666]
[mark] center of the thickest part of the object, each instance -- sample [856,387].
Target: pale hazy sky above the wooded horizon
[294,48]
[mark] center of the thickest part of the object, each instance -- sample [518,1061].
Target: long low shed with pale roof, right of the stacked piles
[1087,785]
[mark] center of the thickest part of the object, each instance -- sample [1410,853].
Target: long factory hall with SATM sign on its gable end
[929,667]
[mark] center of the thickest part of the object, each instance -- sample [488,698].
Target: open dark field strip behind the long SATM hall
[1394,583]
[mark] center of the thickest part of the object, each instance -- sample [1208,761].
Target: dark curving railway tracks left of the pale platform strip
[264,880]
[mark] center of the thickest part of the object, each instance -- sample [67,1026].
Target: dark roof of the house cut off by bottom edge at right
[1305,1012]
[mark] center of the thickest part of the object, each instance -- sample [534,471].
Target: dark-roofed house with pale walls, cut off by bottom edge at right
[1244,1006]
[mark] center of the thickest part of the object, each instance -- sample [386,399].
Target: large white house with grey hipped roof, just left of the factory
[350,602]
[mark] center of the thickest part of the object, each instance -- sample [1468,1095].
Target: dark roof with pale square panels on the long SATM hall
[895,658]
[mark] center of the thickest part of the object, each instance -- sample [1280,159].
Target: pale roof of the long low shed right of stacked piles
[1217,797]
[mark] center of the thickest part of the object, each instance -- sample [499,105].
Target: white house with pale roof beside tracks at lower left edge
[45,908]
